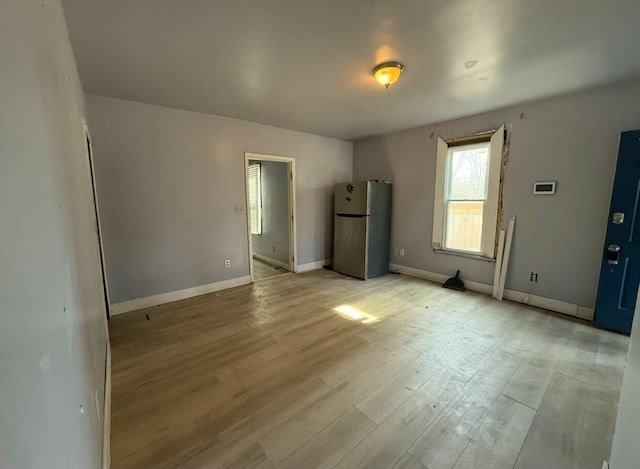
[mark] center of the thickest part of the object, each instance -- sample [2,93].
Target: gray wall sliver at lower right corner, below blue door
[625,451]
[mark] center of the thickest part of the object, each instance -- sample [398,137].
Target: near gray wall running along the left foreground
[53,333]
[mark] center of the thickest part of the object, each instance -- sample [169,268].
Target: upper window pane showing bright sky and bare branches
[468,173]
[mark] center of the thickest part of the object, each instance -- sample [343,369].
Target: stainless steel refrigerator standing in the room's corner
[362,220]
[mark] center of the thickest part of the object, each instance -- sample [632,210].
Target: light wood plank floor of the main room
[318,370]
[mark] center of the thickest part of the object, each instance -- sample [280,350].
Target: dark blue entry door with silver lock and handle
[620,270]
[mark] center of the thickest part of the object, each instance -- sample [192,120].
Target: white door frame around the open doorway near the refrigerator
[291,166]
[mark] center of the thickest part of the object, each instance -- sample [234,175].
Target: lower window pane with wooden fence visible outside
[464,226]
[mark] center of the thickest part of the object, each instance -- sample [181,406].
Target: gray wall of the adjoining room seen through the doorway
[274,240]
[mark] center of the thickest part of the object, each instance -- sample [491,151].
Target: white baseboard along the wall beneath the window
[534,300]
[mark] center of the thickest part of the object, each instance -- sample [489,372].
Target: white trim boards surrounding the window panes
[490,215]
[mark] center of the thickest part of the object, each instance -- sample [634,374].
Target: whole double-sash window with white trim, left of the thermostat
[467,195]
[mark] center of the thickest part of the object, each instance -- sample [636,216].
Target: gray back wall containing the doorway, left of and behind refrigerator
[168,183]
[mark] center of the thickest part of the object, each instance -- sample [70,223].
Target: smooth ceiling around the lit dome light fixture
[306,64]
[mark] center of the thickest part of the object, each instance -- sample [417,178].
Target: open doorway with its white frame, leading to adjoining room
[270,194]
